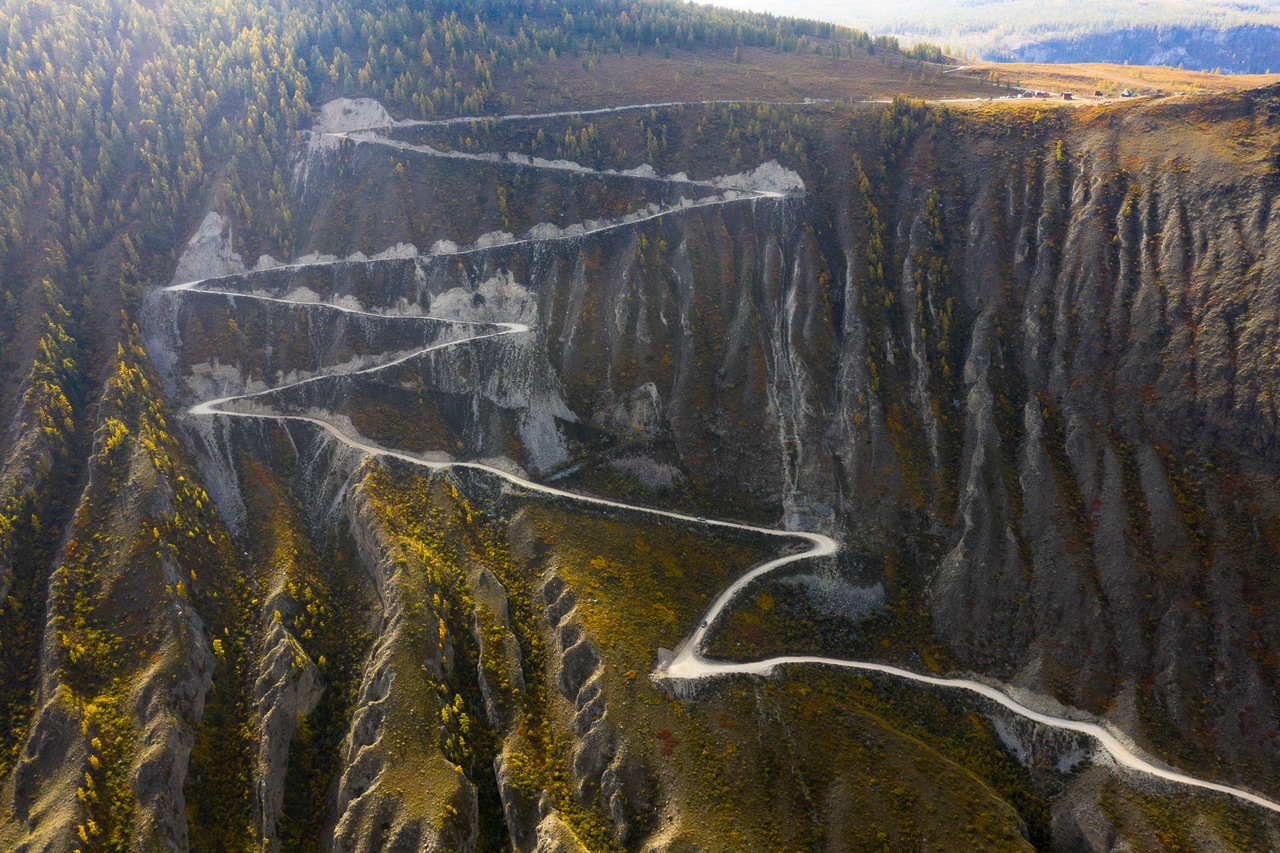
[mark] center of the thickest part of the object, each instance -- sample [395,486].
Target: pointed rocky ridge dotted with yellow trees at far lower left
[125,664]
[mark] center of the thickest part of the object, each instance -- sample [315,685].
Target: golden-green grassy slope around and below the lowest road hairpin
[743,760]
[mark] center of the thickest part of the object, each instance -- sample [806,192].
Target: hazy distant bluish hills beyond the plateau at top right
[1215,35]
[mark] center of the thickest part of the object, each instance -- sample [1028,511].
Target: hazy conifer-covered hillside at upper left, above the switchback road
[121,120]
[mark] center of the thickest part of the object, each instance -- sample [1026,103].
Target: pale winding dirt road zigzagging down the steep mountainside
[689,663]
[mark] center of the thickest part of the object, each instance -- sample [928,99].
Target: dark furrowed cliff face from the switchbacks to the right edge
[1031,354]
